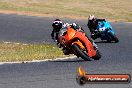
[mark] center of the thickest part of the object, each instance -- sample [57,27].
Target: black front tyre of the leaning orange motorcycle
[80,53]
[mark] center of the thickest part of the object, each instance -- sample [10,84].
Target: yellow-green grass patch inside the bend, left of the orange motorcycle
[10,52]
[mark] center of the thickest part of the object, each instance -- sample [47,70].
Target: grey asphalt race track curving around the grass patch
[116,57]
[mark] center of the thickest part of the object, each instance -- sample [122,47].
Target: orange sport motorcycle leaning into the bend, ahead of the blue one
[75,42]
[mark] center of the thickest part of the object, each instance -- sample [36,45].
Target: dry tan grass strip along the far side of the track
[119,10]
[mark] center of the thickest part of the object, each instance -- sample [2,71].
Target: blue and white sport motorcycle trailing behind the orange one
[105,31]
